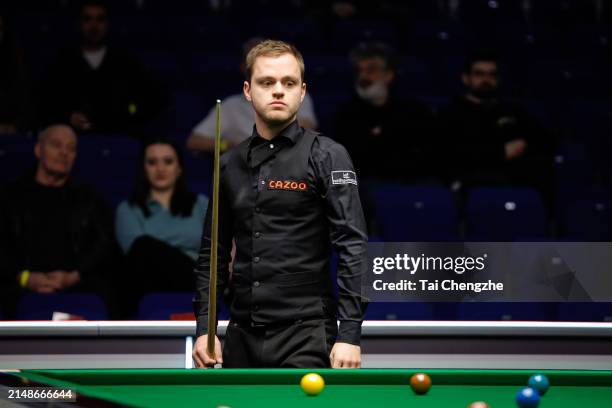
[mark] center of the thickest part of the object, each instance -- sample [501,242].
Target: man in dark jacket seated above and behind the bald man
[97,87]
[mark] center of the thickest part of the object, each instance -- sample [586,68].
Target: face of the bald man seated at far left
[57,151]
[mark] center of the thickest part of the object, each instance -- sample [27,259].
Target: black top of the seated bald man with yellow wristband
[45,228]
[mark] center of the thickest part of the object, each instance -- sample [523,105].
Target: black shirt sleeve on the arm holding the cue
[202,268]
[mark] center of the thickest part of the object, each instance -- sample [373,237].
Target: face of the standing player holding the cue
[276,89]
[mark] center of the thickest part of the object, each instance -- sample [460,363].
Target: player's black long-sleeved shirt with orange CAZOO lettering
[286,202]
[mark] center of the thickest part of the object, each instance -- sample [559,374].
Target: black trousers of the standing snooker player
[299,344]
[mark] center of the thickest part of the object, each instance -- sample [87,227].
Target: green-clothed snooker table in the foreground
[371,388]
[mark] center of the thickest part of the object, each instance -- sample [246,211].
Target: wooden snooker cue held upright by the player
[212,288]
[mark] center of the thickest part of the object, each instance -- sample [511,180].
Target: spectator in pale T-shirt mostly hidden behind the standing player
[237,118]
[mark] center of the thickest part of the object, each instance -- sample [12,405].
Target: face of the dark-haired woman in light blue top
[161,166]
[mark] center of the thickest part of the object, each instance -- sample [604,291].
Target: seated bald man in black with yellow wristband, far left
[54,232]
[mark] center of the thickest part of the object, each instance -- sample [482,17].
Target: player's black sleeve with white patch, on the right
[348,236]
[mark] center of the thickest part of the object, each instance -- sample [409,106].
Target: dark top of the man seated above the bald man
[118,96]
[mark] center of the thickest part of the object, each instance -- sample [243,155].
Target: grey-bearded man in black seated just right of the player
[386,135]
